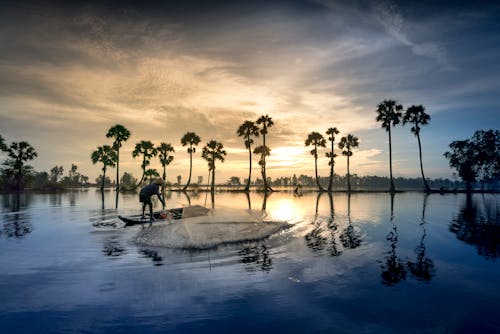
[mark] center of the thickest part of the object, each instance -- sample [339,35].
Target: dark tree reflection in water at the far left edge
[16,223]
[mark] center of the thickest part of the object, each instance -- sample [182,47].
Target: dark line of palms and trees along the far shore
[476,160]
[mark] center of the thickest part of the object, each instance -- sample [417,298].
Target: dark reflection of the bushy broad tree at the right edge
[478,224]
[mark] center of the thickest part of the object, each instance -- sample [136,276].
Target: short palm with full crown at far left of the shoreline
[19,153]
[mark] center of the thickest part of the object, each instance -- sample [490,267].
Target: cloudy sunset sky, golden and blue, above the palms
[71,70]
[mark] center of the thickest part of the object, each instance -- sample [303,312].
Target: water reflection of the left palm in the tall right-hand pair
[393,268]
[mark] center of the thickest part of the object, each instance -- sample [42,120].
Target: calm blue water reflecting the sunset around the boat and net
[358,264]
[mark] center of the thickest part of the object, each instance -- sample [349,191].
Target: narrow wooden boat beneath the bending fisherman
[170,214]
